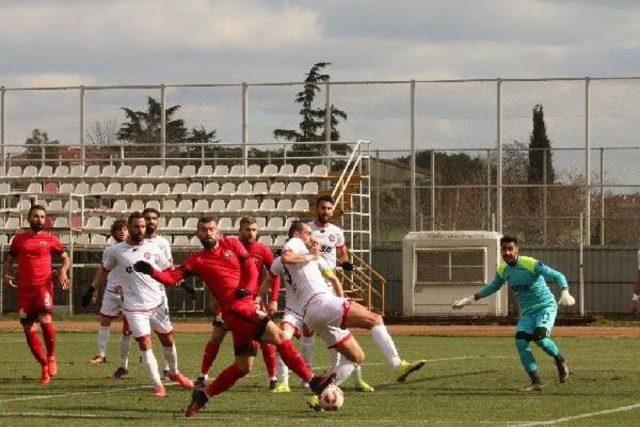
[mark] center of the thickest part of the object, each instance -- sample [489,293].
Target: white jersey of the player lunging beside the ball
[302,281]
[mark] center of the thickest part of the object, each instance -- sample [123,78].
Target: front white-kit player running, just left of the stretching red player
[144,300]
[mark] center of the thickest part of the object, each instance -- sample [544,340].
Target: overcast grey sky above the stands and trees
[68,42]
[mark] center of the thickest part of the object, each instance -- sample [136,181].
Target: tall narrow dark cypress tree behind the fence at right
[540,146]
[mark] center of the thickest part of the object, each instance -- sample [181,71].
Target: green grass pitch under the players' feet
[476,385]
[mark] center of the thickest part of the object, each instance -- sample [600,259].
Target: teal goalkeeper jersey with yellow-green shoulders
[528,280]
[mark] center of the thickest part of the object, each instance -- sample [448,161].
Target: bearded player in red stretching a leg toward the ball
[231,274]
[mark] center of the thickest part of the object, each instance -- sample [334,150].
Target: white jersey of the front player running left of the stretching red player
[140,291]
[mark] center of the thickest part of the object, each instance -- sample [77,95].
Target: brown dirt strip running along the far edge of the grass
[432,330]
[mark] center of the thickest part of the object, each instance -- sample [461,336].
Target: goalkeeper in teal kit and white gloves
[527,278]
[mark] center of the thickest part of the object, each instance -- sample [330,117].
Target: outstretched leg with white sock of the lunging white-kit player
[360,317]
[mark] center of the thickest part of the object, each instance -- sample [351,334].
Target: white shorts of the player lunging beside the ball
[325,315]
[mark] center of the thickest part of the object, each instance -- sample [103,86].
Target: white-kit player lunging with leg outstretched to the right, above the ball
[329,313]
